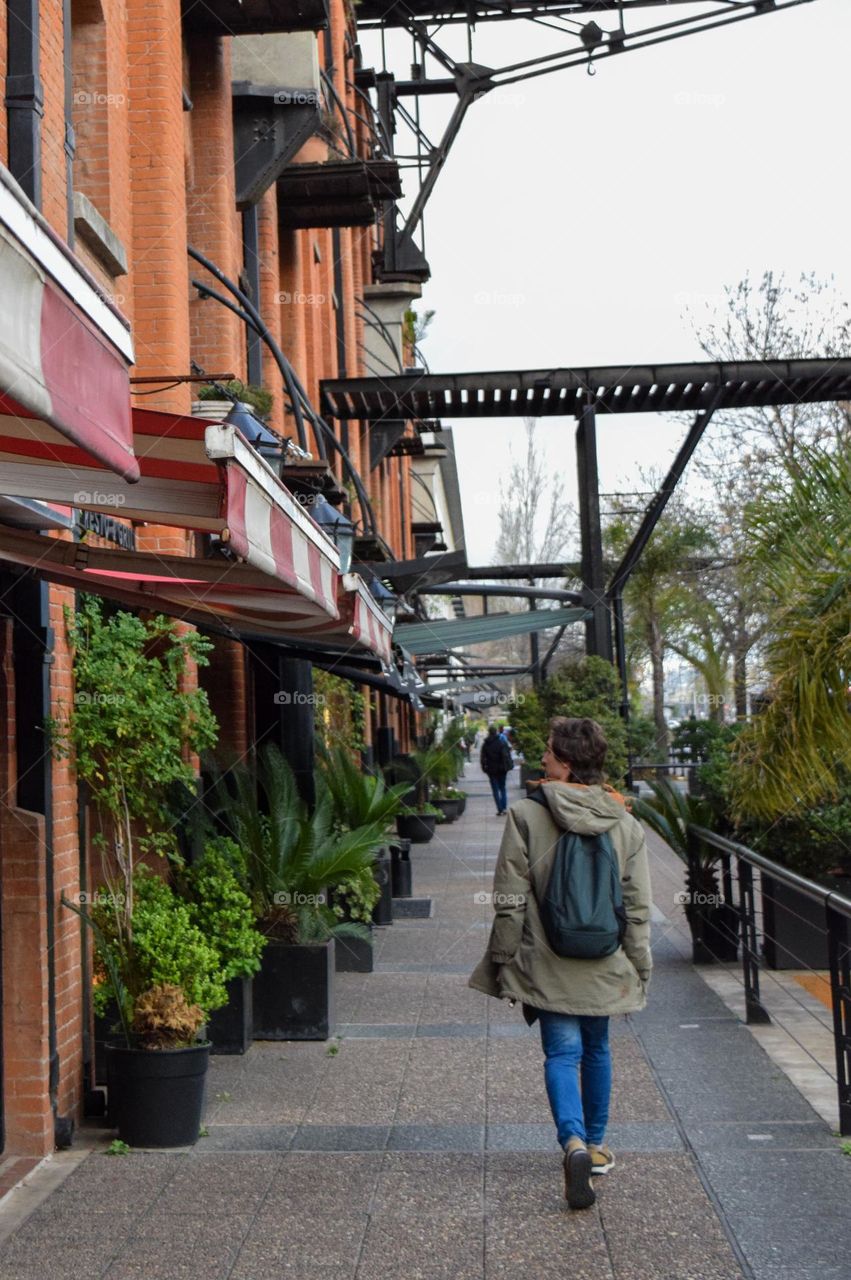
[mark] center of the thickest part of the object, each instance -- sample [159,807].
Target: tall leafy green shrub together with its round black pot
[134,725]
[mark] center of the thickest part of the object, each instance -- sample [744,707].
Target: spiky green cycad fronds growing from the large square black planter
[294,857]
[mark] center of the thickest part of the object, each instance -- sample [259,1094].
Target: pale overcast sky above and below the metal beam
[579,220]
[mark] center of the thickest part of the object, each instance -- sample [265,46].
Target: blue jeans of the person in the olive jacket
[578,1048]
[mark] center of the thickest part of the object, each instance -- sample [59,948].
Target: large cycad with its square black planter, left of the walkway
[295,860]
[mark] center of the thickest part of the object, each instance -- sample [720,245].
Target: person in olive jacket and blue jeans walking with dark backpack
[573,995]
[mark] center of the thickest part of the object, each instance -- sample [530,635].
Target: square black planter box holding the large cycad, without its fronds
[295,991]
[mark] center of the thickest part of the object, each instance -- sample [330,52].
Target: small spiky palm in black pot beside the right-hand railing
[713,924]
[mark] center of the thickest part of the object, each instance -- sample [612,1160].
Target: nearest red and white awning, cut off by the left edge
[65,349]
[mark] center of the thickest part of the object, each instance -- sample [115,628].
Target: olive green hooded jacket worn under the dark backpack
[519,963]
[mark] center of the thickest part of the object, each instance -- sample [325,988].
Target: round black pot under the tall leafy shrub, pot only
[157,1096]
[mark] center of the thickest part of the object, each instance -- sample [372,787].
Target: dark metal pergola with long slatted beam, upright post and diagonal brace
[702,388]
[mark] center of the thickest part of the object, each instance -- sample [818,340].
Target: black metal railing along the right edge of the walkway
[743,926]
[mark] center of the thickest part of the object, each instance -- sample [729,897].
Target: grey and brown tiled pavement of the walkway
[423,1148]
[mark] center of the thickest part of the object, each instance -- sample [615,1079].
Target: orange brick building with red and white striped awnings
[132,134]
